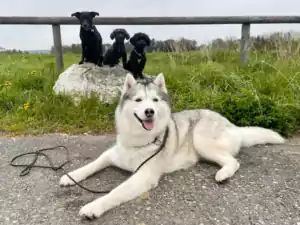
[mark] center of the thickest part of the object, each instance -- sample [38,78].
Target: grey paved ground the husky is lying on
[264,191]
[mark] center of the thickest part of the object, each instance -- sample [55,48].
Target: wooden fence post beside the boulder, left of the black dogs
[58,47]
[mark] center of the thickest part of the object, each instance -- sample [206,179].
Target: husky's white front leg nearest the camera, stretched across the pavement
[139,183]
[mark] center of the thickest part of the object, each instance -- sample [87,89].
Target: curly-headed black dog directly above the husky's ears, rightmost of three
[137,60]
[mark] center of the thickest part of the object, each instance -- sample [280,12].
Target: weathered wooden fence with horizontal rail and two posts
[245,21]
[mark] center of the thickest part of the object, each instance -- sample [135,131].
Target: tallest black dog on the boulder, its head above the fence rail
[91,40]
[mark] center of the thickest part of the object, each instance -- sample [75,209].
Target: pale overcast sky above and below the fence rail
[31,37]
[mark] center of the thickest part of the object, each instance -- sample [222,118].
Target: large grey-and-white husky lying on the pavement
[145,123]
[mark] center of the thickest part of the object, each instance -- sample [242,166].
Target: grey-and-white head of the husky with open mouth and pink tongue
[144,106]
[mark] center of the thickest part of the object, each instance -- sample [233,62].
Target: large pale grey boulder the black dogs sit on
[82,80]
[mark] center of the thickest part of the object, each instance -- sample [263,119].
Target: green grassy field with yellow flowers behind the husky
[265,92]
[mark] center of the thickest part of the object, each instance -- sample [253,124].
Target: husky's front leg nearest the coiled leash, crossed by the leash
[103,161]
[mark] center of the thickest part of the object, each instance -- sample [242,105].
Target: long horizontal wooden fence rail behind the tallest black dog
[152,20]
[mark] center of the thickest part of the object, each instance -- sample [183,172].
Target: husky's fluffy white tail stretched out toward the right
[258,135]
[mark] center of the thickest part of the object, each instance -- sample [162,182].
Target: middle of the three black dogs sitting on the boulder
[117,50]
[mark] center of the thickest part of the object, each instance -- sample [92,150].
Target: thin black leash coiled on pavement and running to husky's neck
[40,152]
